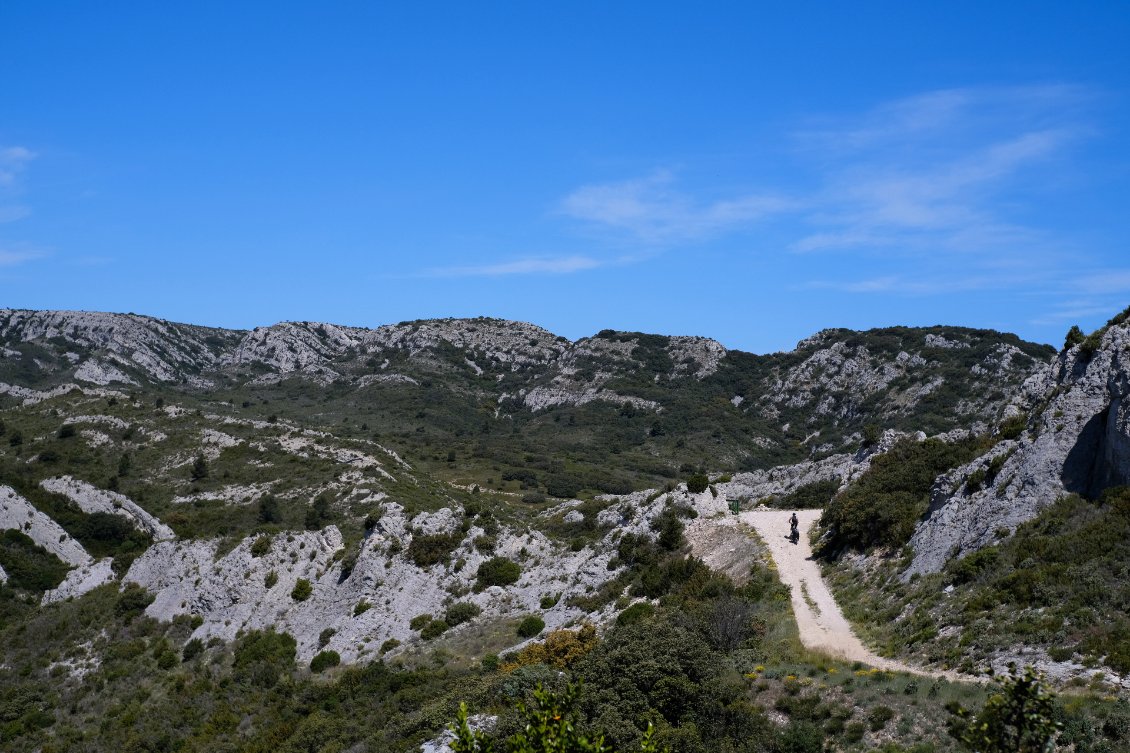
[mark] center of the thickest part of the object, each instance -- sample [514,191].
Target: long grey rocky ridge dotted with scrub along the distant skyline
[820,395]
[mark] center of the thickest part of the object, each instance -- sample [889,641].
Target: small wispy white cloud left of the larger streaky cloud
[655,211]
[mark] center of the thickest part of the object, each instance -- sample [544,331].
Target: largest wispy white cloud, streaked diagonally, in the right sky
[938,172]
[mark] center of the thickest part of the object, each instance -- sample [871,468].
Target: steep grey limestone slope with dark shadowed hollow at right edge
[1076,440]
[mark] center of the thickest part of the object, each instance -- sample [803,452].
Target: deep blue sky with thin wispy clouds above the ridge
[751,172]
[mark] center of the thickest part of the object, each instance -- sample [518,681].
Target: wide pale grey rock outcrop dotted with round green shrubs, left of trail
[376,601]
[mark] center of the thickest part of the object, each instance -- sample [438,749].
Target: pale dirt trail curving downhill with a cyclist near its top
[822,626]
